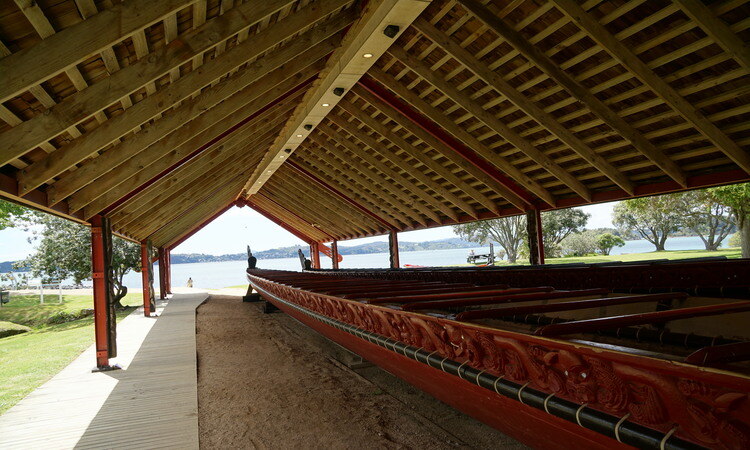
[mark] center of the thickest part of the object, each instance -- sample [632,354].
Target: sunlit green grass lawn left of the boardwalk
[28,360]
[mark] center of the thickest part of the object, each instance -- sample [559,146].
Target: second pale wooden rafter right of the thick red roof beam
[543,118]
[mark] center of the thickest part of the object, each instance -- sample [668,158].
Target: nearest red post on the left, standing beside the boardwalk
[98,269]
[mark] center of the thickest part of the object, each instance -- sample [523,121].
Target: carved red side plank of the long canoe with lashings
[473,350]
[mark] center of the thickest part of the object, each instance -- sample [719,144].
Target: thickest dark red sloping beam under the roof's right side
[454,144]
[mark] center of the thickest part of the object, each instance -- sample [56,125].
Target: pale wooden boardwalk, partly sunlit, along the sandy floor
[151,403]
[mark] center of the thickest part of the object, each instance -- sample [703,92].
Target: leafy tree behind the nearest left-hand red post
[64,251]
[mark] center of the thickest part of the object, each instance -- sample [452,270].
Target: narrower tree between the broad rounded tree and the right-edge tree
[707,217]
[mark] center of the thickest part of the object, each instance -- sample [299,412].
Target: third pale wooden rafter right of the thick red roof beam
[553,70]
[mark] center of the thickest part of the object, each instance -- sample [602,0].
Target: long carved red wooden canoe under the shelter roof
[647,355]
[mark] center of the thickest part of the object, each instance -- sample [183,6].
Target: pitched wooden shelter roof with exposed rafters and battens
[162,114]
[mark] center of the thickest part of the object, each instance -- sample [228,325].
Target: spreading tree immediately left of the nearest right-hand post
[508,232]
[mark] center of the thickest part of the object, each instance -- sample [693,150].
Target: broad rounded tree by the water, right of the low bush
[654,218]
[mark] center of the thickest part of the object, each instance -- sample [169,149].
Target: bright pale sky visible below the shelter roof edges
[242,226]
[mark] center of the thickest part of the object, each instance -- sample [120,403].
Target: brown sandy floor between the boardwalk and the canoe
[267,381]
